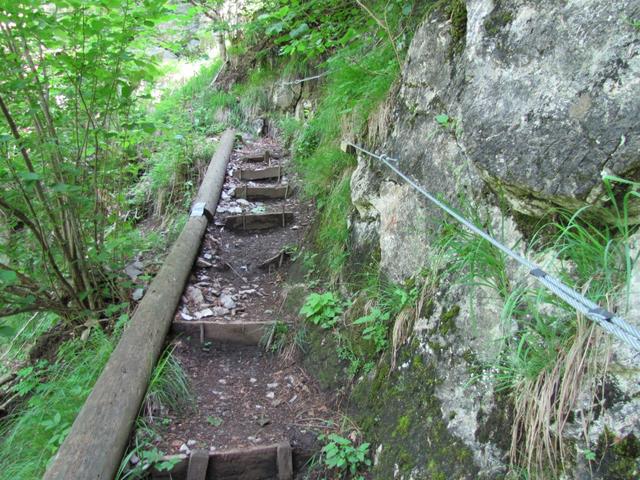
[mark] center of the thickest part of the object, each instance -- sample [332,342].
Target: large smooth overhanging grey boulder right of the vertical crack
[551,97]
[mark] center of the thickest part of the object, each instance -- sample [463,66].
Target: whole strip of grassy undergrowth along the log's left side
[174,143]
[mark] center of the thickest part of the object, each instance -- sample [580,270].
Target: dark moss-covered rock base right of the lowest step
[419,441]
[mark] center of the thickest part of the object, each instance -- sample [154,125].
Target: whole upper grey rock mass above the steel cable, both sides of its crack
[542,100]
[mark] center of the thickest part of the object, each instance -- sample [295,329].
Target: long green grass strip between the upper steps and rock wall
[353,91]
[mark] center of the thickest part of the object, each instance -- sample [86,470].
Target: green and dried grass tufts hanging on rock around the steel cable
[549,353]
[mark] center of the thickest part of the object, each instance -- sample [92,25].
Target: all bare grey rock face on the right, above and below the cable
[533,106]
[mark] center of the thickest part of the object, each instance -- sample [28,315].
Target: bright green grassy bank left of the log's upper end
[183,123]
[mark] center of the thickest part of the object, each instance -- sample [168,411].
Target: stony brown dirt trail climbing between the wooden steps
[244,396]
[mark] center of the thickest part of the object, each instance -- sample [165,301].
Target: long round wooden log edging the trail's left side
[100,433]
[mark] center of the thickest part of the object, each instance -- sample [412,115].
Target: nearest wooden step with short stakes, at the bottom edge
[253,463]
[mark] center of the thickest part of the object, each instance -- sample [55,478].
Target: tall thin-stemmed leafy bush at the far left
[70,124]
